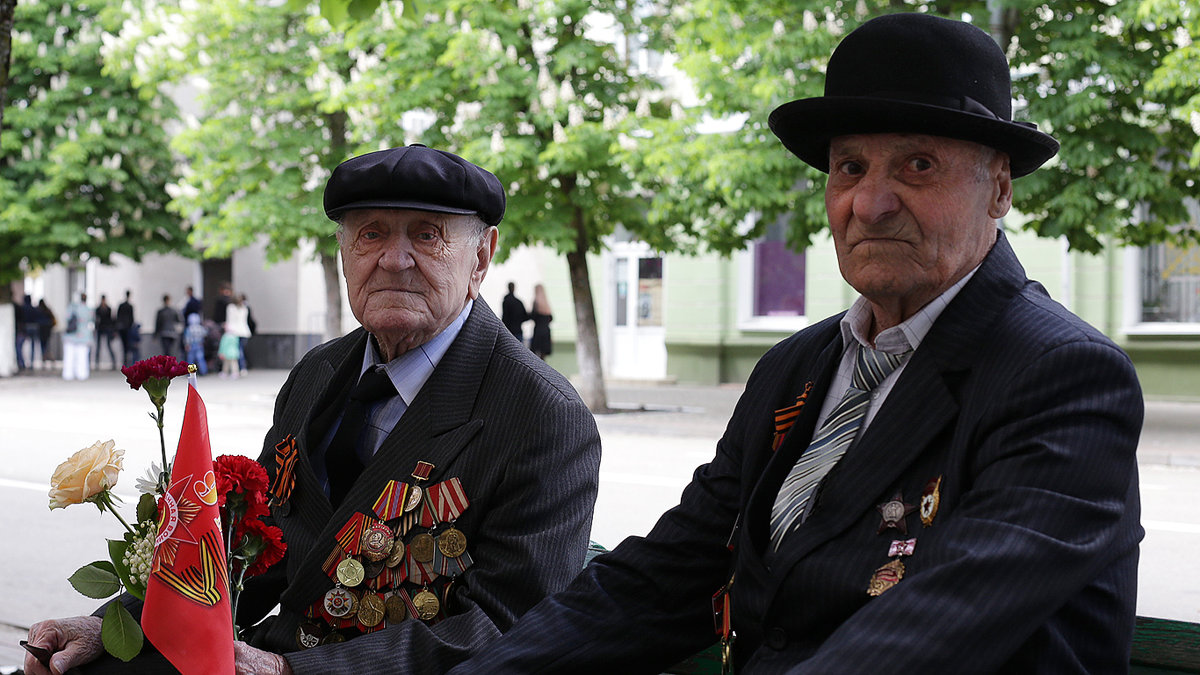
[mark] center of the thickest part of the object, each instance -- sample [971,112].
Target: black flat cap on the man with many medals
[417,178]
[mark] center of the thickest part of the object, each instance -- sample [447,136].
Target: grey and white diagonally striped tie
[872,367]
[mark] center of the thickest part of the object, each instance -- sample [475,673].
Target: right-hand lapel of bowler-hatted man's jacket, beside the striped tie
[921,405]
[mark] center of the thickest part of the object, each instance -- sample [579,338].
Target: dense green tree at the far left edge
[85,164]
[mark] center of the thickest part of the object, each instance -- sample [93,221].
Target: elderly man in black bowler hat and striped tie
[941,480]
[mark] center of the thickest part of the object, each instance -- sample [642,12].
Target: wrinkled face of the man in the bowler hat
[913,214]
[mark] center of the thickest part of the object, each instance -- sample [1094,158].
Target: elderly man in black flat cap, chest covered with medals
[434,480]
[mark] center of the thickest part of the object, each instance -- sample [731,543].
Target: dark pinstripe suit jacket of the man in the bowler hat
[1030,417]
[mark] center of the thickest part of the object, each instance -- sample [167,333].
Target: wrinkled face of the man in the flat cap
[410,273]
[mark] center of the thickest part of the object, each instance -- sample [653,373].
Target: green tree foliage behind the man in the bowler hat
[1081,71]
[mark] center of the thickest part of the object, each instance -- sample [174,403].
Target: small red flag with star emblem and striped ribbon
[187,614]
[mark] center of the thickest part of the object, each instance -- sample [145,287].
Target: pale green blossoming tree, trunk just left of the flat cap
[268,126]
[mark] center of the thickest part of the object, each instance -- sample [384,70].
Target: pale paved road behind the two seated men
[650,452]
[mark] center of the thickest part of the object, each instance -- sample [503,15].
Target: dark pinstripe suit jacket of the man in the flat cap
[527,452]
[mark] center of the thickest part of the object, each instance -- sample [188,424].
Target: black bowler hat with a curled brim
[914,74]
